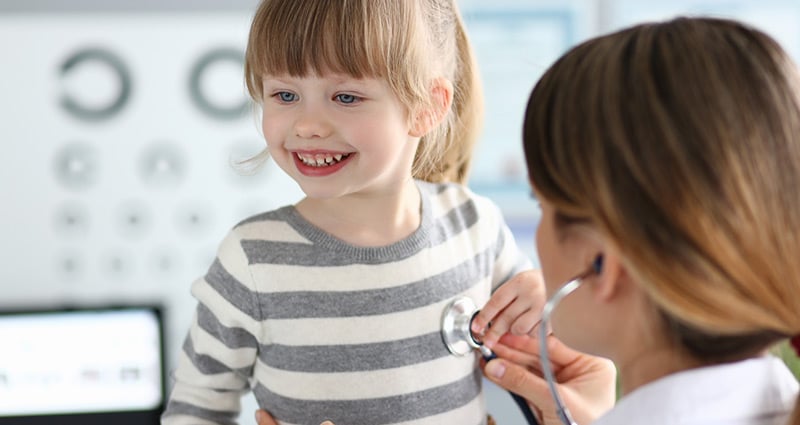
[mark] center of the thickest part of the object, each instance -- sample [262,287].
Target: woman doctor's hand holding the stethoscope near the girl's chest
[587,384]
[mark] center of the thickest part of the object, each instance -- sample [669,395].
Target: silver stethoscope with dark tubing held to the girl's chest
[458,337]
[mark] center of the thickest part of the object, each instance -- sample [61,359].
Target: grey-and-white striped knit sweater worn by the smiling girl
[320,329]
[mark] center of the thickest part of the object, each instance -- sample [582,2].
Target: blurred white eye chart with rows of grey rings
[121,130]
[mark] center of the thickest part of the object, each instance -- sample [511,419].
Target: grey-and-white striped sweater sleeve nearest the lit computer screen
[216,364]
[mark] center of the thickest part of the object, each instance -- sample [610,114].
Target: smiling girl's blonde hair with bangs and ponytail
[407,43]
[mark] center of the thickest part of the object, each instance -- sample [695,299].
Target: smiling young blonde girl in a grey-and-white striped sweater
[331,308]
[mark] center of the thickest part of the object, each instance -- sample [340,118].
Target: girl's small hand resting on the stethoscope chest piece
[515,307]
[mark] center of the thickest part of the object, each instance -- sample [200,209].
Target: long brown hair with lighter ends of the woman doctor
[680,141]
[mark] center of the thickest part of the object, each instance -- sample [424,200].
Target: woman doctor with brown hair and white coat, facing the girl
[671,152]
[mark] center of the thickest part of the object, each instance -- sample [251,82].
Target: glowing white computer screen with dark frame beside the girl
[84,361]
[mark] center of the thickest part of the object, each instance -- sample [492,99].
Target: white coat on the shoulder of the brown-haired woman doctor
[754,391]
